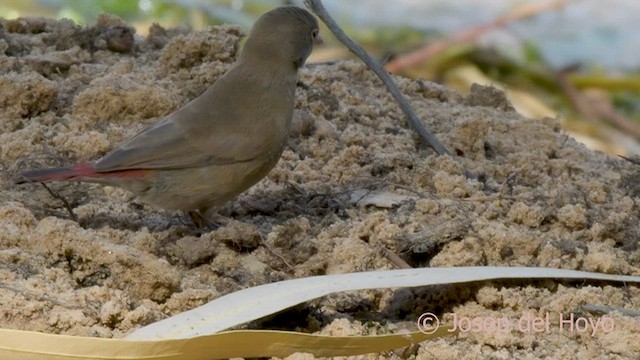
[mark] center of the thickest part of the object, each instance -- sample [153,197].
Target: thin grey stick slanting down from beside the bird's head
[317,7]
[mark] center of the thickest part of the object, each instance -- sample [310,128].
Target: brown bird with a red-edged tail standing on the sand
[218,145]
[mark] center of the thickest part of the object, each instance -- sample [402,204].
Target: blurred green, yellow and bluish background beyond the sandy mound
[576,60]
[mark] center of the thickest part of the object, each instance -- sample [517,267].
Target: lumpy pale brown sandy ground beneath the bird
[357,185]
